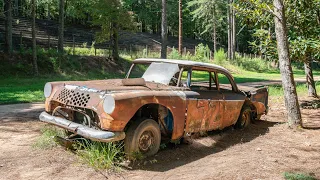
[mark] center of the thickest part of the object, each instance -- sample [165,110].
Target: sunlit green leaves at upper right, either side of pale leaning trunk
[303,33]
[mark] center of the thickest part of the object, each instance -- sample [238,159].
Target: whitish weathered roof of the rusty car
[197,65]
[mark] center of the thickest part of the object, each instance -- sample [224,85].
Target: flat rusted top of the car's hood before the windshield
[117,85]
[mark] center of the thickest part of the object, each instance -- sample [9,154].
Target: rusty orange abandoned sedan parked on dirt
[159,98]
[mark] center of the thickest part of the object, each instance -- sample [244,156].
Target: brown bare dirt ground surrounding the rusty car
[265,150]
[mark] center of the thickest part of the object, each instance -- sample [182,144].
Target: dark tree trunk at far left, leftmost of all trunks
[8,27]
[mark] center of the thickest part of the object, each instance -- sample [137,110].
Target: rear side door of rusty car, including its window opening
[232,101]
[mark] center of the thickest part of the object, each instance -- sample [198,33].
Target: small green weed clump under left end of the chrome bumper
[46,140]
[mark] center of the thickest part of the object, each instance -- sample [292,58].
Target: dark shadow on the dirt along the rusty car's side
[174,156]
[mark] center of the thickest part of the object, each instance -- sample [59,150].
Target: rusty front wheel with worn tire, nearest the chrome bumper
[142,137]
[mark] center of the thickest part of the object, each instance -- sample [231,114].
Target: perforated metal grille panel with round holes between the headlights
[73,98]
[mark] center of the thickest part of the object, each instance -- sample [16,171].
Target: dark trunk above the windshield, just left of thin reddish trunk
[164,30]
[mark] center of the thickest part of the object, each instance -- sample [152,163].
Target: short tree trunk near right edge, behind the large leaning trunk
[312,92]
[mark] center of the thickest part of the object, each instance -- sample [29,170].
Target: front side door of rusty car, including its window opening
[203,111]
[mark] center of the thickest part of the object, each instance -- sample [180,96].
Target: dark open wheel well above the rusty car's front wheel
[161,114]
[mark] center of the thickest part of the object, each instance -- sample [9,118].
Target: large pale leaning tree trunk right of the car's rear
[290,93]
